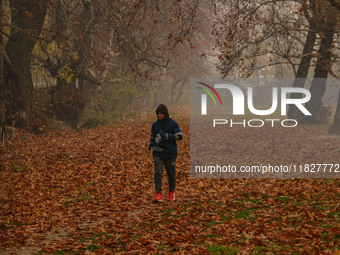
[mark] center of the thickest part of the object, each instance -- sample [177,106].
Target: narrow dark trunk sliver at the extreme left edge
[2,88]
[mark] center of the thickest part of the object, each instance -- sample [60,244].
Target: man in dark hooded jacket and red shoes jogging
[164,134]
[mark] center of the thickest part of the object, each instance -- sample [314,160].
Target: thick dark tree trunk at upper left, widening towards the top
[27,19]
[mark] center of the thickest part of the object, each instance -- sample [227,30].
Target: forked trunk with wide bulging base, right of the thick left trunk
[67,98]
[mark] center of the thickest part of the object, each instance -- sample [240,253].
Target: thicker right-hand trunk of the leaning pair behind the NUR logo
[318,86]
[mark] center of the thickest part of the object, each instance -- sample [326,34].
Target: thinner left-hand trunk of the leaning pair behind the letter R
[302,72]
